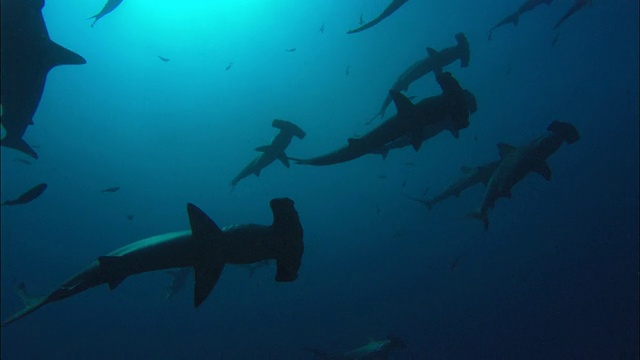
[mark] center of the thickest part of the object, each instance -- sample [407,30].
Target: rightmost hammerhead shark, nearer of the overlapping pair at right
[517,162]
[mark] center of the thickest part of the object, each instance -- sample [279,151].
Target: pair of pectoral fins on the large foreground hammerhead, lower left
[206,233]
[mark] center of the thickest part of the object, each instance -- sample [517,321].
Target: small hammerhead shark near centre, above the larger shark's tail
[273,151]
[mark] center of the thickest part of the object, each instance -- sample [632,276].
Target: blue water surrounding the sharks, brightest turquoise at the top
[555,277]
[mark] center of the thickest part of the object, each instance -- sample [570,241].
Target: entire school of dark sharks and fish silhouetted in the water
[29,53]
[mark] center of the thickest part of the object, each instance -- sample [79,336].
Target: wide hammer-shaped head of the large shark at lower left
[288,233]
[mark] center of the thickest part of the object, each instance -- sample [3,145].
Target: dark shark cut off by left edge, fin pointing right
[27,56]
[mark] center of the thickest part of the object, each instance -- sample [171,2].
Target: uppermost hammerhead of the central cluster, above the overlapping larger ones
[435,61]
